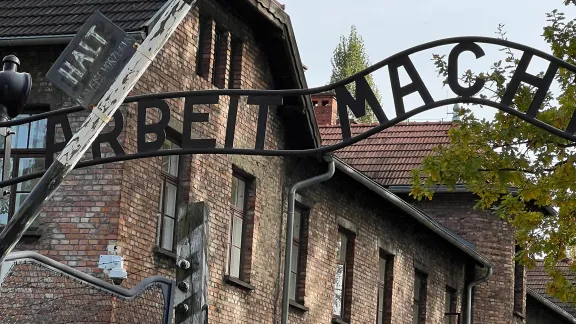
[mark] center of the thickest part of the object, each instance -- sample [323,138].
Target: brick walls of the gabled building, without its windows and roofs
[118,203]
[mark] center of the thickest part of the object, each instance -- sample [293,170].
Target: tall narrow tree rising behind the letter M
[350,58]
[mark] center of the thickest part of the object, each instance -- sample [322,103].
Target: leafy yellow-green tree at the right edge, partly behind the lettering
[518,170]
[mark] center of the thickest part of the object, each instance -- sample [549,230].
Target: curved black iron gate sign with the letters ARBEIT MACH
[264,99]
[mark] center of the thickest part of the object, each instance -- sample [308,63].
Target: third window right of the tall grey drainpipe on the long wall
[385,268]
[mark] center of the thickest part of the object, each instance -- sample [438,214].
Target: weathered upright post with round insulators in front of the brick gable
[191,295]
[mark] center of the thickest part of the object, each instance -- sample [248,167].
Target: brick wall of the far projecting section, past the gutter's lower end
[494,300]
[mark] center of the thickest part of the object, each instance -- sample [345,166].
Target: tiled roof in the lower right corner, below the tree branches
[538,277]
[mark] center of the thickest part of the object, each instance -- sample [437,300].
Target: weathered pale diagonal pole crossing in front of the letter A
[169,20]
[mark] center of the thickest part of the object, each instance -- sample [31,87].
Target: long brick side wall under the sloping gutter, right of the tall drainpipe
[376,223]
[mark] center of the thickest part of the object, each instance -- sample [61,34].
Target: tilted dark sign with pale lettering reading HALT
[92,61]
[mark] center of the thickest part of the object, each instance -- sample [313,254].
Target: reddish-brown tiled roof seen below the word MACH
[388,157]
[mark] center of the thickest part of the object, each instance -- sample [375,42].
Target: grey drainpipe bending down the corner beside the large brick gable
[290,230]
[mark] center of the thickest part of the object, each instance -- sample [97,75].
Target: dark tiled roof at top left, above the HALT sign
[64,17]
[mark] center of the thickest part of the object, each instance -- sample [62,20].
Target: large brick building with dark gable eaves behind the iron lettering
[362,254]
